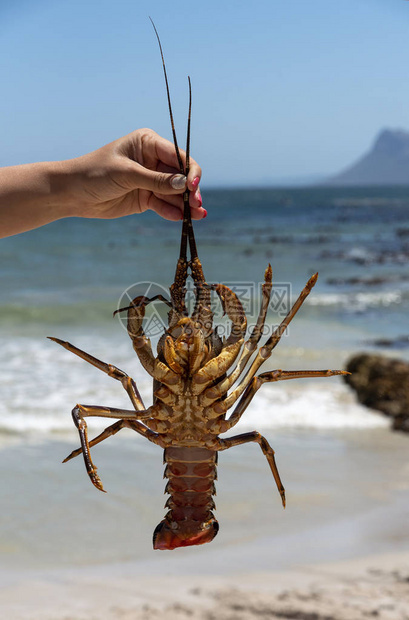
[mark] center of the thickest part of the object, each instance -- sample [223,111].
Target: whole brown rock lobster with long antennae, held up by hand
[191,386]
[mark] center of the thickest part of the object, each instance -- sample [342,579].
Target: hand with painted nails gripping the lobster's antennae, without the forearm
[131,175]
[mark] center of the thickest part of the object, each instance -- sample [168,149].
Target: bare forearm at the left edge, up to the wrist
[32,195]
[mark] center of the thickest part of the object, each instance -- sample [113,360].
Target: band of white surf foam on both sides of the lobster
[40,384]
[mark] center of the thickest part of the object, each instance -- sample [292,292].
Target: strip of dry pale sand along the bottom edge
[372,587]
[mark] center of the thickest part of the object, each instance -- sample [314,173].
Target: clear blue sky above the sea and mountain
[282,89]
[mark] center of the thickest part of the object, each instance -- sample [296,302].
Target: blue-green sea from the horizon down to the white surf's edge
[66,279]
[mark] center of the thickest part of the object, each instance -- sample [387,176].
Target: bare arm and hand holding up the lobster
[131,175]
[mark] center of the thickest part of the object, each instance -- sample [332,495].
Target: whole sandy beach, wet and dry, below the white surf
[340,551]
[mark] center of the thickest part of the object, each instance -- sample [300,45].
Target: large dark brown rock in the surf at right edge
[383,384]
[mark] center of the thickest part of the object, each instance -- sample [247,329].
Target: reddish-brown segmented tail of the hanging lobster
[190,521]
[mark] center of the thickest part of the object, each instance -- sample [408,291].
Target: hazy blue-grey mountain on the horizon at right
[387,163]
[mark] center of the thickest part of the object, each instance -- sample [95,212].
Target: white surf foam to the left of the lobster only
[40,383]
